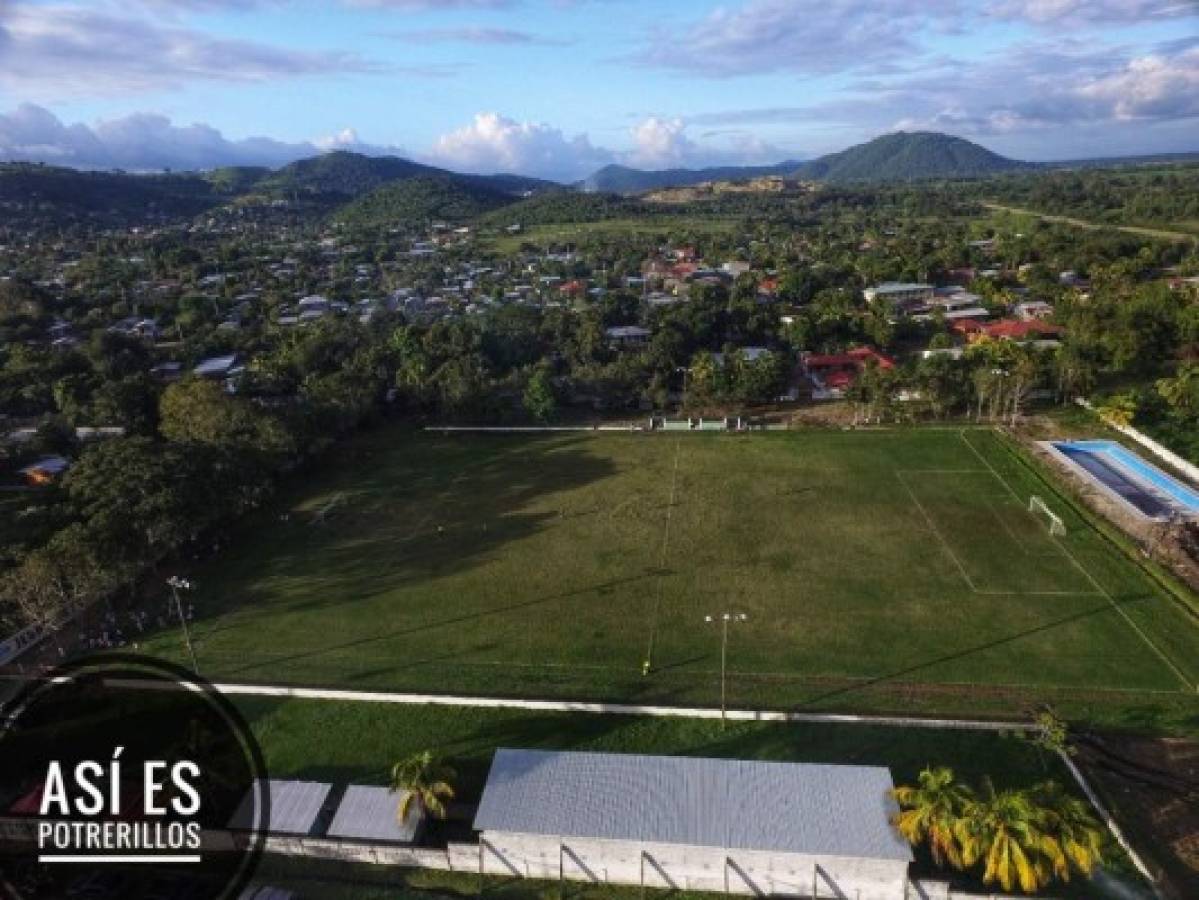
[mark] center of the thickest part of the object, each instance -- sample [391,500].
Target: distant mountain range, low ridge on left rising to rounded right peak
[893,158]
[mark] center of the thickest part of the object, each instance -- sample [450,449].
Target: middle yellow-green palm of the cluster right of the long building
[1008,832]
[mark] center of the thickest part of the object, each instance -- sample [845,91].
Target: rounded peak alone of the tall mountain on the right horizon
[906,156]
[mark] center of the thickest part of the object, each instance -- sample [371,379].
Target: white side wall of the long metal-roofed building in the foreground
[695,868]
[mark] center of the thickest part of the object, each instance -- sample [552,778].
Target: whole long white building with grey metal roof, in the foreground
[694,824]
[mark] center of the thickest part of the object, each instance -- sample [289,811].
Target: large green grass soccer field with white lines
[893,570]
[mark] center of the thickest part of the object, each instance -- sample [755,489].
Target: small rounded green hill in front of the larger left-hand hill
[423,198]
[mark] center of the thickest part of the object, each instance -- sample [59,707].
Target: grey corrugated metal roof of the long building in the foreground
[786,807]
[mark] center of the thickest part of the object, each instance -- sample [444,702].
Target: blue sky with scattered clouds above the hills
[561,88]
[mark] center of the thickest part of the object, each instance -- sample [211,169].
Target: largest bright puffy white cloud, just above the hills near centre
[493,143]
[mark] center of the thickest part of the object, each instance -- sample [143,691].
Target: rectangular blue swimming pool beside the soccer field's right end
[1143,485]
